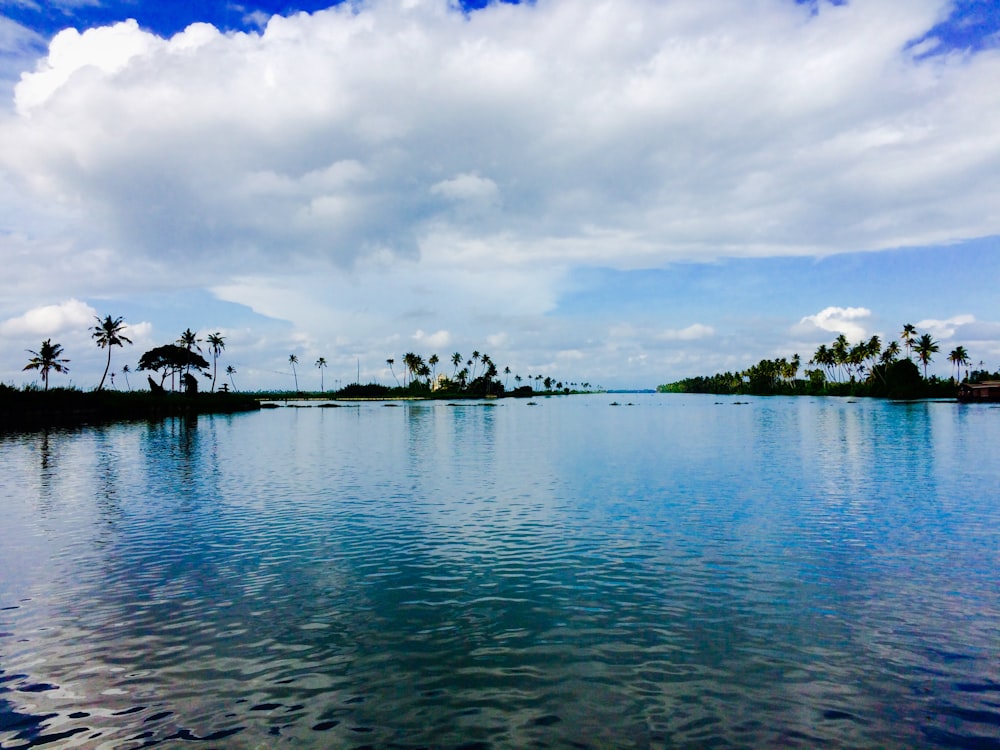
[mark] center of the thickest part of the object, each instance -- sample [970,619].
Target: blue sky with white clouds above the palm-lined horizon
[619,192]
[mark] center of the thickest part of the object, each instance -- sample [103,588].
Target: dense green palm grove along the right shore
[842,369]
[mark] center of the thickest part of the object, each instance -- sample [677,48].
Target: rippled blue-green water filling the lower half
[675,572]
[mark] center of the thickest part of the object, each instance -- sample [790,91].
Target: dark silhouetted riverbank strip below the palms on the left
[32,409]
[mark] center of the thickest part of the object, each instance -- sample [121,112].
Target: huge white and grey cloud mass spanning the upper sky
[635,135]
